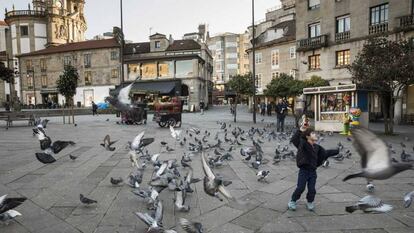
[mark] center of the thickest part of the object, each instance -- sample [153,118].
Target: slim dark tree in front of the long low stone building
[67,84]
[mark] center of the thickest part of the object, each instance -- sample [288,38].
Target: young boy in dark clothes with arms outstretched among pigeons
[309,156]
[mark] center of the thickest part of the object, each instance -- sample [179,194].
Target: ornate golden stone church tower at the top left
[66,21]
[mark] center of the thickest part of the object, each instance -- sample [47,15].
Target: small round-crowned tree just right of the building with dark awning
[241,85]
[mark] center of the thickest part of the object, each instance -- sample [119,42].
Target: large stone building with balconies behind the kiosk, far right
[330,34]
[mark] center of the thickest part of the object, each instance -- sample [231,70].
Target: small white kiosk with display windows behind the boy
[333,105]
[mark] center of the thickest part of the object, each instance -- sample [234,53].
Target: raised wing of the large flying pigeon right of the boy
[373,151]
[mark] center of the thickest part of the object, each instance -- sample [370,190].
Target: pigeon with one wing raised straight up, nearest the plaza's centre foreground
[212,184]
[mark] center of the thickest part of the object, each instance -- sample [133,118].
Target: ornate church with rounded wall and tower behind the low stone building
[45,23]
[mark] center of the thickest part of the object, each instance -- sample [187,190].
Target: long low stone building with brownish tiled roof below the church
[97,63]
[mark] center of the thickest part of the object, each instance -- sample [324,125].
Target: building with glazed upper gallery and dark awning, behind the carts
[166,67]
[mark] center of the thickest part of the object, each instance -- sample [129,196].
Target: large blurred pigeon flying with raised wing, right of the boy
[375,158]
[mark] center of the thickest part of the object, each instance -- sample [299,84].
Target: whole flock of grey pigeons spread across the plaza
[377,163]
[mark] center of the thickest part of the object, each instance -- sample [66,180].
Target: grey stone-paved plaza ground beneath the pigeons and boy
[53,190]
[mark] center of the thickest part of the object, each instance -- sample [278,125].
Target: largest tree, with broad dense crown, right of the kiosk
[387,67]
